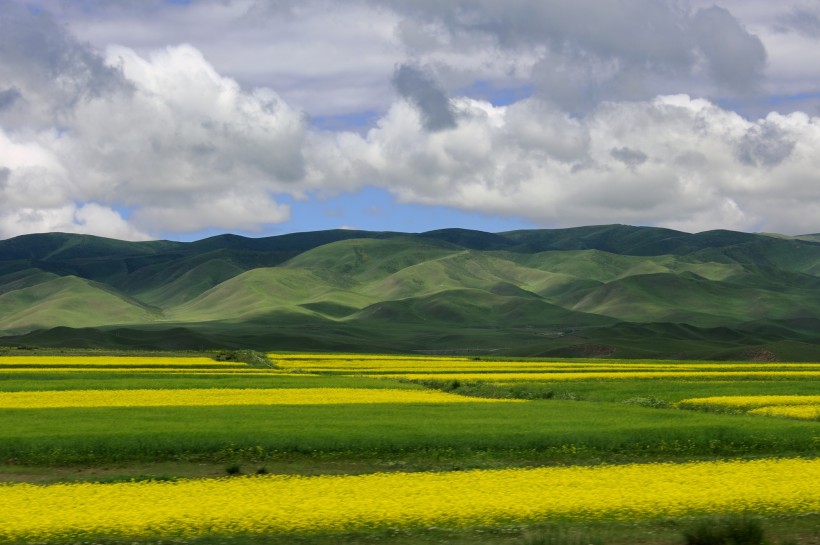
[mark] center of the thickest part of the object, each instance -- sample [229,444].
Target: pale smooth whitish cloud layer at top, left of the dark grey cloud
[323,57]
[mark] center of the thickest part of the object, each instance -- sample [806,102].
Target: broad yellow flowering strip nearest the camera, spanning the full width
[279,504]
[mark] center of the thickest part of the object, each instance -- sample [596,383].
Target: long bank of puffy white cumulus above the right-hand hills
[673,161]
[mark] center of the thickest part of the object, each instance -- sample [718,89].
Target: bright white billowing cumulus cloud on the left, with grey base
[187,147]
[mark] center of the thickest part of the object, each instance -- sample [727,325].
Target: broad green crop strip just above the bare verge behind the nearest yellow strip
[552,429]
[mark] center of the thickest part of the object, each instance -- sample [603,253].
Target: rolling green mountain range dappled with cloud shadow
[611,290]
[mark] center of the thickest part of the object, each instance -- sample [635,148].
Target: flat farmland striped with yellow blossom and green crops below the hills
[383,449]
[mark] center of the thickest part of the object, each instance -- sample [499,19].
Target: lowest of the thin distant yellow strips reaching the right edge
[605,375]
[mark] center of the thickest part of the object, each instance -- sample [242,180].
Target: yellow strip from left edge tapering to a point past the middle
[220,397]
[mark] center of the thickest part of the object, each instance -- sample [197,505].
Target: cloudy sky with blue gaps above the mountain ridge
[180,119]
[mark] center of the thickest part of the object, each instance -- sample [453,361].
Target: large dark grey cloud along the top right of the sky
[587,51]
